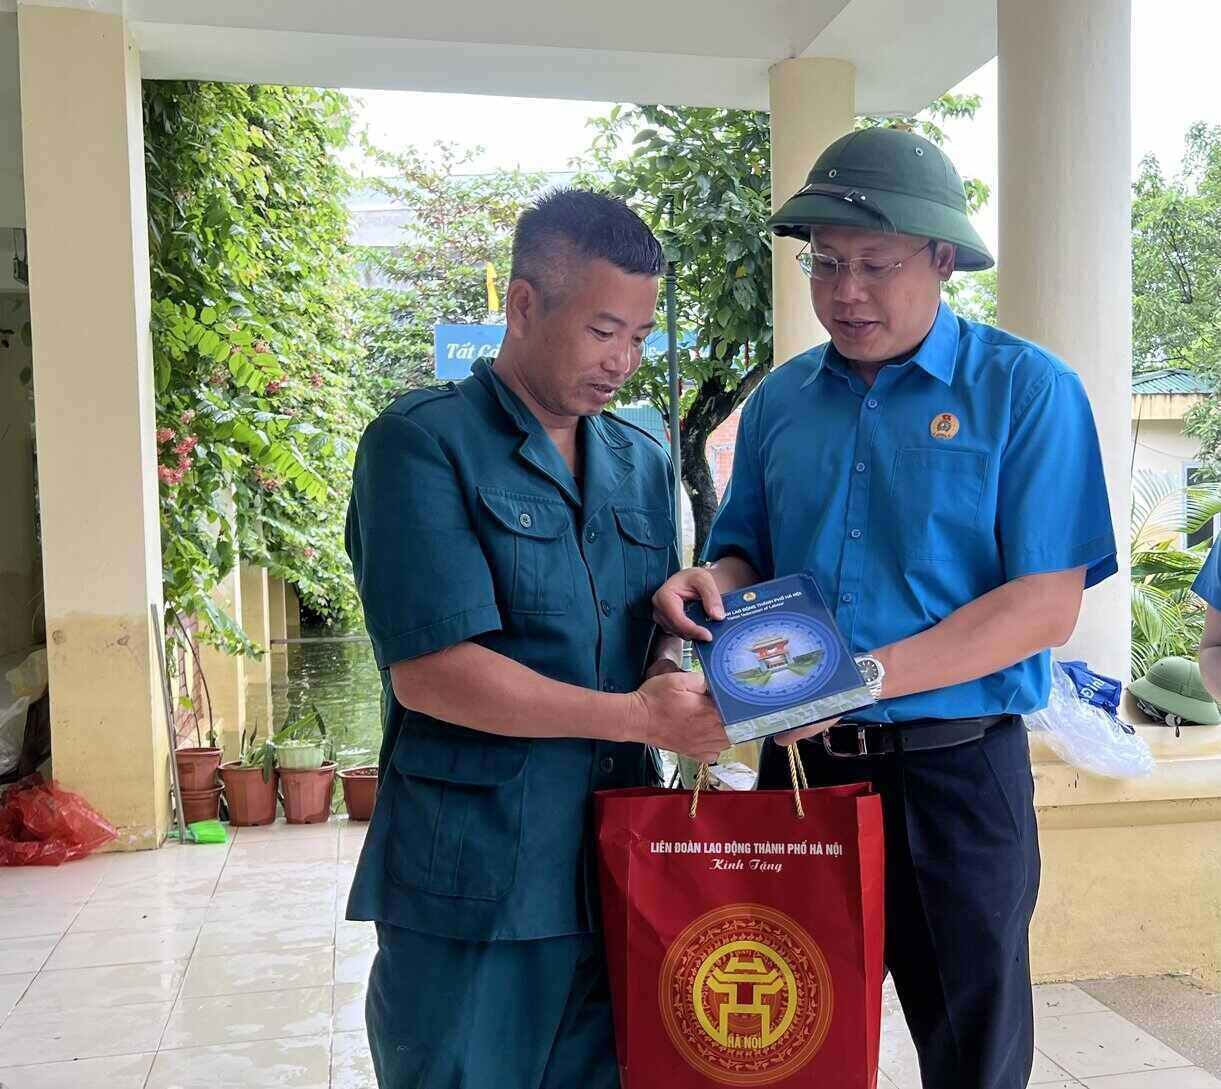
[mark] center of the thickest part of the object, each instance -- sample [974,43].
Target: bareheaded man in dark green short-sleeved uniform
[507,538]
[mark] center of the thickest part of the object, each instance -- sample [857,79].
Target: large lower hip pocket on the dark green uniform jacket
[456,828]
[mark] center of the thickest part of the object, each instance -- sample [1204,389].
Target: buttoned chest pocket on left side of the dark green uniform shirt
[528,539]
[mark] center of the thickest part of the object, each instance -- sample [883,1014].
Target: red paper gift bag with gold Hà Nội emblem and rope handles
[744,936]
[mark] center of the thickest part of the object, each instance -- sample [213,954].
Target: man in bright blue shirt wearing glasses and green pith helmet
[943,483]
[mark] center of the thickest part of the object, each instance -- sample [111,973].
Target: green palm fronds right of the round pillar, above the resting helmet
[1167,617]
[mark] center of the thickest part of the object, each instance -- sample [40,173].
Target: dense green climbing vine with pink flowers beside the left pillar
[255,351]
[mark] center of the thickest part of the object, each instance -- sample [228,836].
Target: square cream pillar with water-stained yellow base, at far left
[87,217]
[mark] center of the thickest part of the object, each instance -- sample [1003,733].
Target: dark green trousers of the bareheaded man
[472,1015]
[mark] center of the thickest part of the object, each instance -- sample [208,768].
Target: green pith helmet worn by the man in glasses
[886,180]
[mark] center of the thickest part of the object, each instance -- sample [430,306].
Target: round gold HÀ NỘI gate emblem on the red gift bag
[747,996]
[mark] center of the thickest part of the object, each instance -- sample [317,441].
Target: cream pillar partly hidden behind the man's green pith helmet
[814,104]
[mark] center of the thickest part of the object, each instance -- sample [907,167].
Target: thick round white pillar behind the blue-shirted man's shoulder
[1065,268]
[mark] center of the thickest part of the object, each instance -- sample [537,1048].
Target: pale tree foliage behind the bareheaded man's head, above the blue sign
[460,223]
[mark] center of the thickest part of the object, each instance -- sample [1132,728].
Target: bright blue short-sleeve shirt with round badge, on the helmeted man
[974,463]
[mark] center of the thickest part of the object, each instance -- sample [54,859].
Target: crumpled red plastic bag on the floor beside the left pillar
[42,825]
